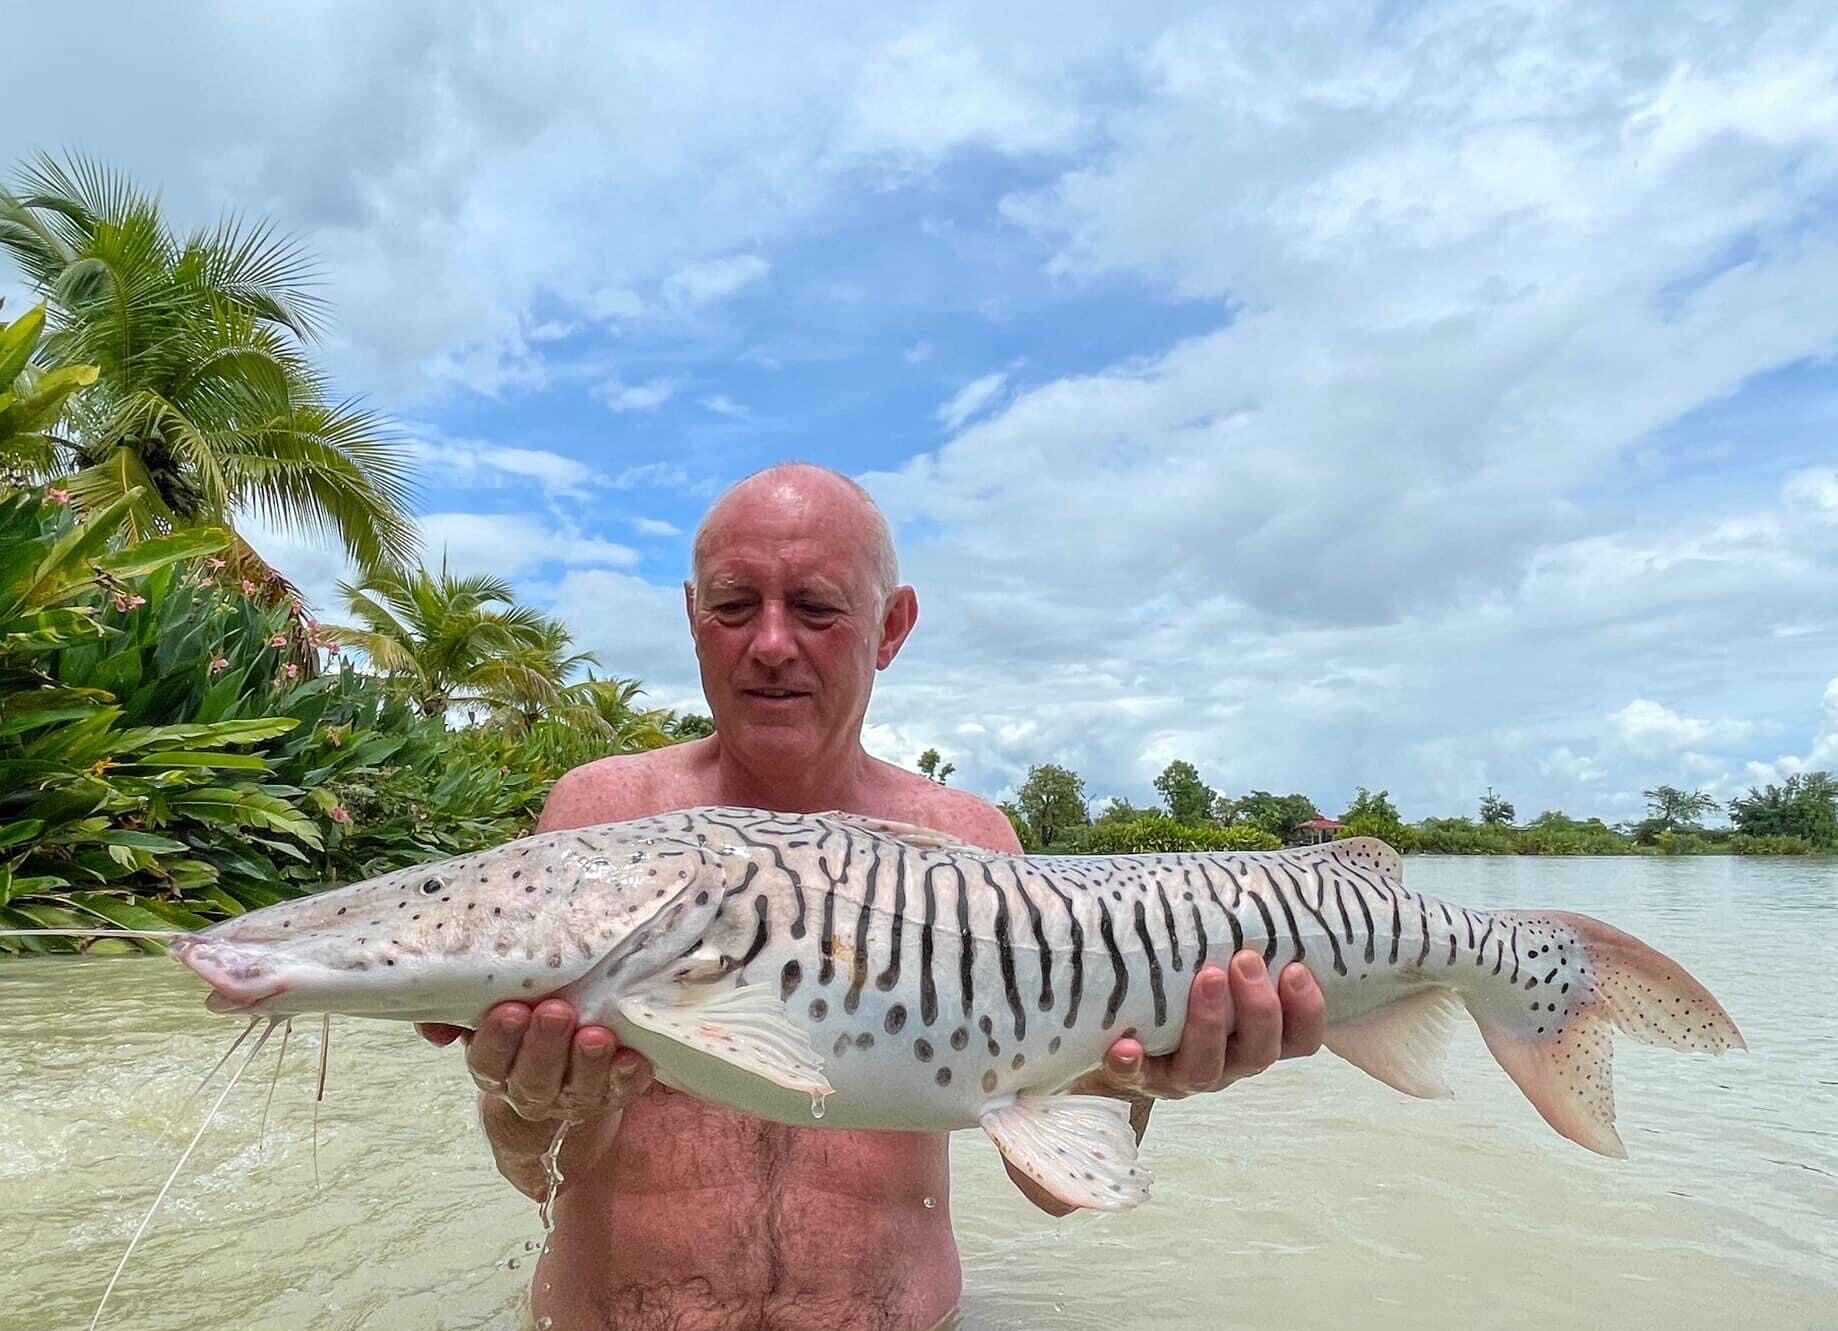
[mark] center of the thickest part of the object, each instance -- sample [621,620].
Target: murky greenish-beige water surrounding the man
[1304,1200]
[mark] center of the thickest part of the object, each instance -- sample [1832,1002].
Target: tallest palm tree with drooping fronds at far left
[205,396]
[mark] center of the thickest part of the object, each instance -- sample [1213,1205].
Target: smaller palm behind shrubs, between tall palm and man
[453,641]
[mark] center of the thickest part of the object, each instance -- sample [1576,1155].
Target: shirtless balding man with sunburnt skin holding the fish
[686,1216]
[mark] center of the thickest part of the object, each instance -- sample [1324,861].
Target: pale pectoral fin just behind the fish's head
[743,1025]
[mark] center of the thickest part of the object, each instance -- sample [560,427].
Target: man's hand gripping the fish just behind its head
[545,1067]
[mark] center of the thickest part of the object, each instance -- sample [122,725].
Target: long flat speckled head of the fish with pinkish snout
[448,940]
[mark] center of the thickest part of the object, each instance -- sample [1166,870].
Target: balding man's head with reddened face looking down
[795,604]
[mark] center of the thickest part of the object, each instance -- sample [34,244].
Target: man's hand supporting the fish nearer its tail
[1238,1025]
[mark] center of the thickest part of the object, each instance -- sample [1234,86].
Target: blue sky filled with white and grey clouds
[1414,396]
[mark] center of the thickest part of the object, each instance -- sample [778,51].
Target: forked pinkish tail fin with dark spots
[1552,1025]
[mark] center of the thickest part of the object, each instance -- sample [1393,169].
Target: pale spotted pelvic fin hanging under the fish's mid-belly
[1080,1148]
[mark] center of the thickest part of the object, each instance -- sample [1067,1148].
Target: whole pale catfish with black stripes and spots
[857,973]
